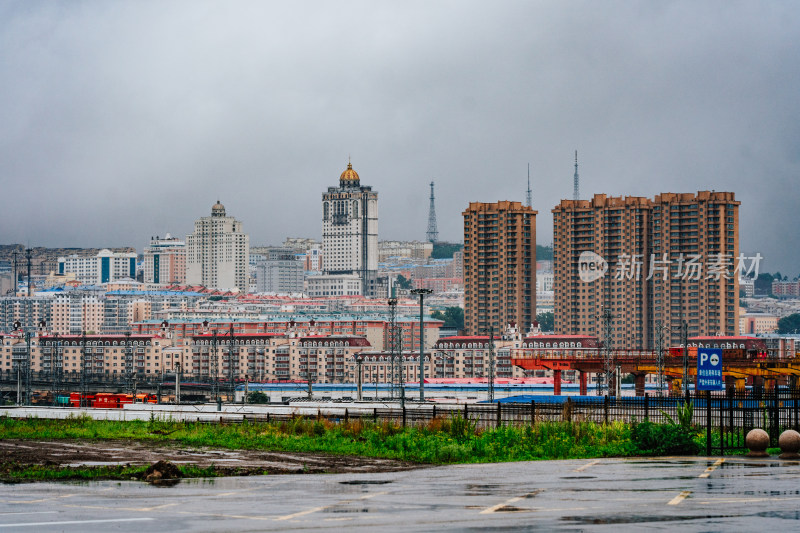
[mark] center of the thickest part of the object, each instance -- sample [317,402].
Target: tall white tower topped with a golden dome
[350,233]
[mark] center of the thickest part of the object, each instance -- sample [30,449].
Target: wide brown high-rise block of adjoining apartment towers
[633,269]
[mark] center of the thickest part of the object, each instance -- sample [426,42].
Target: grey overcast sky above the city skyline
[122,120]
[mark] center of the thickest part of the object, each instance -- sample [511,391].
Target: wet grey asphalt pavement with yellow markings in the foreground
[697,494]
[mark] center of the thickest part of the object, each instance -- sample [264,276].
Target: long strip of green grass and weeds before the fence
[442,440]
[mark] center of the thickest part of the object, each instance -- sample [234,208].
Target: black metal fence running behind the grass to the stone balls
[725,416]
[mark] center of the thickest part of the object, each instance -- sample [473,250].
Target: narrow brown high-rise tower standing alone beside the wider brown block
[499,266]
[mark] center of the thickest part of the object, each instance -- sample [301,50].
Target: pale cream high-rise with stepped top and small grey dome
[217,253]
